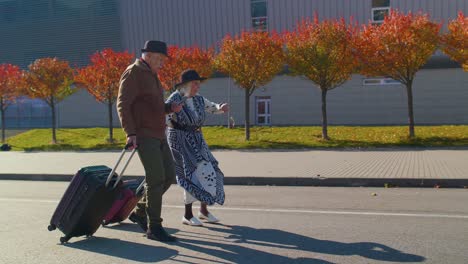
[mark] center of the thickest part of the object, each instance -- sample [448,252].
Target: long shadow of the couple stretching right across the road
[241,239]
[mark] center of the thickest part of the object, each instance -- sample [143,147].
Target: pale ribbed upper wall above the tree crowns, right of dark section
[206,22]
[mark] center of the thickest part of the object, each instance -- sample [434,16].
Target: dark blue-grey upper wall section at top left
[70,30]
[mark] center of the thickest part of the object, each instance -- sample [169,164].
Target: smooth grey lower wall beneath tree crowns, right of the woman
[440,97]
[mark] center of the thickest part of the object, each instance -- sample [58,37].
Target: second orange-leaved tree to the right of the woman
[322,52]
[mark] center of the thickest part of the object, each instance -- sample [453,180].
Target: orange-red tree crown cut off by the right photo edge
[455,42]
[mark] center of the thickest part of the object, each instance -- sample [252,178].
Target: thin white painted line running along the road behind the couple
[277,210]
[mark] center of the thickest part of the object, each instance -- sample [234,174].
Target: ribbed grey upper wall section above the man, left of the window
[181,22]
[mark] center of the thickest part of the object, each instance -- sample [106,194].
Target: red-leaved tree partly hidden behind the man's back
[101,78]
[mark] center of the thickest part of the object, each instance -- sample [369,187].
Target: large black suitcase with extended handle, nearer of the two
[87,199]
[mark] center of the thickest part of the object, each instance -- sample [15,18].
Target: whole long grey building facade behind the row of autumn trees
[440,88]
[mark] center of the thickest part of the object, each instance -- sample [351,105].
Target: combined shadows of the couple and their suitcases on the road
[233,244]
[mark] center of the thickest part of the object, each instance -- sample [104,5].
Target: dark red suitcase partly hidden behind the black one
[132,192]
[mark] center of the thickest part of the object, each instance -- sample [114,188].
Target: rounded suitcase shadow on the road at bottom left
[125,249]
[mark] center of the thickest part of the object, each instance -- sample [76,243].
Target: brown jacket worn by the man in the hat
[140,103]
